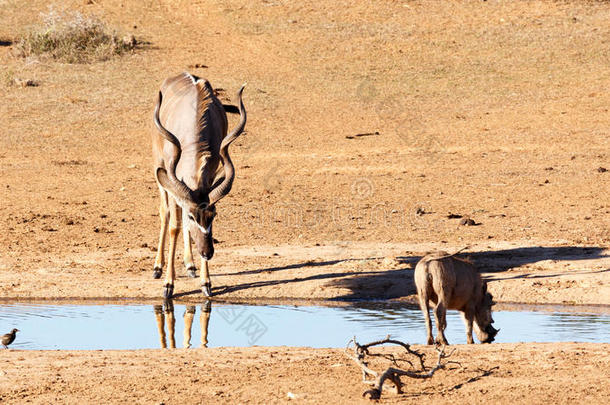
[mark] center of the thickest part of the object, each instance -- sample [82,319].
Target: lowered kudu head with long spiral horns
[199,205]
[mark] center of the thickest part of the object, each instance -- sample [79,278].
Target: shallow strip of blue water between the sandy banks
[142,326]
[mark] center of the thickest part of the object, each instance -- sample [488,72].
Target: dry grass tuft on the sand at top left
[71,37]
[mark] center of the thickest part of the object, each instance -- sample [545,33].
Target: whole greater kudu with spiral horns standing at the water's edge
[188,148]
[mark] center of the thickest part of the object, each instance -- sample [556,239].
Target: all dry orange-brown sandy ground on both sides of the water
[494,110]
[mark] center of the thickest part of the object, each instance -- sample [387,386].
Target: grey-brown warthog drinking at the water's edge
[454,283]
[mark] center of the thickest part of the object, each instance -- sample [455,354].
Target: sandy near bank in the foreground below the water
[538,373]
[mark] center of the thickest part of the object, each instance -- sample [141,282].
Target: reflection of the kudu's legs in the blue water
[165,314]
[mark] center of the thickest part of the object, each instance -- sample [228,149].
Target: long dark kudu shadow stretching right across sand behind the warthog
[397,283]
